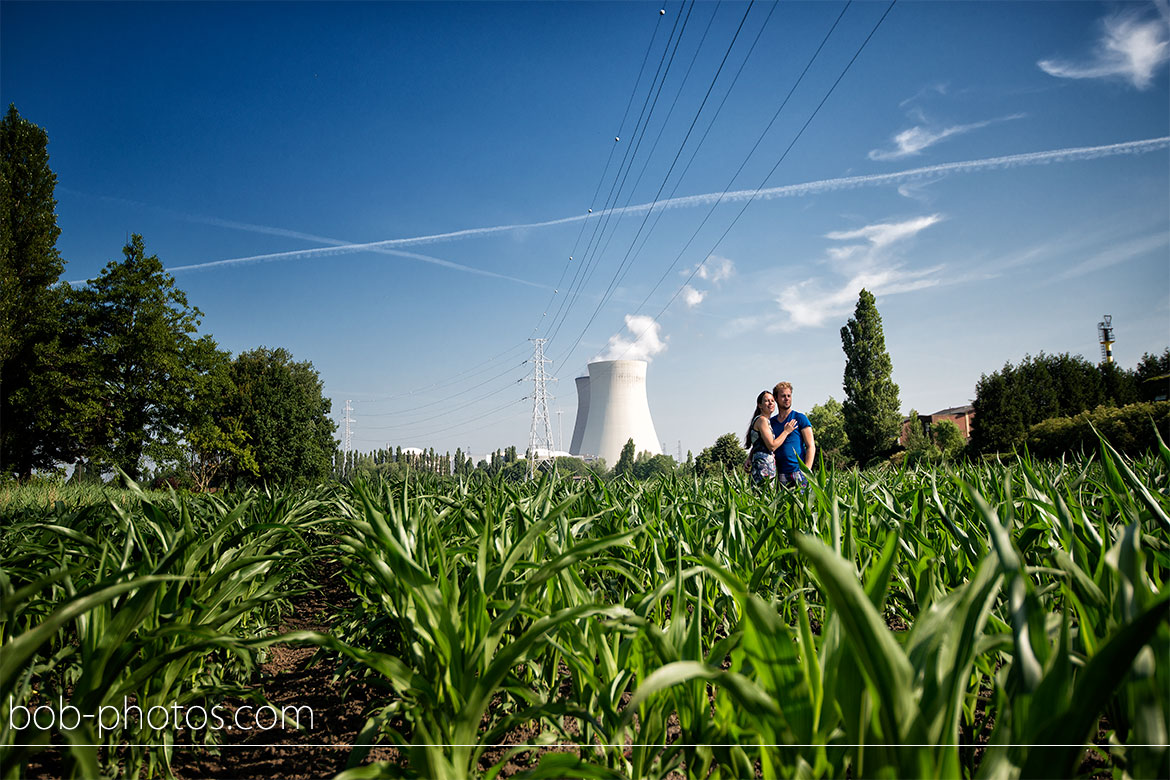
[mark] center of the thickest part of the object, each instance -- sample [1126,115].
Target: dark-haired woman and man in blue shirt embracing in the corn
[780,440]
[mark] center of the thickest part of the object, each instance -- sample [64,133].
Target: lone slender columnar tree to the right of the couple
[871,408]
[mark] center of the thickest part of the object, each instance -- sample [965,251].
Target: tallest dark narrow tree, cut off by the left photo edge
[30,300]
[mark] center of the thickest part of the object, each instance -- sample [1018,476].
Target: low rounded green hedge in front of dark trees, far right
[1130,429]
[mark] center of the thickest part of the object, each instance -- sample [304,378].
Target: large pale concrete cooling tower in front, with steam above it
[617,411]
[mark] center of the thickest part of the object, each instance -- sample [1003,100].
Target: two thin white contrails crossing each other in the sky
[787,191]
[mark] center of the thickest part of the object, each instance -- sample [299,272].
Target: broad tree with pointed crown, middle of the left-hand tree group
[148,360]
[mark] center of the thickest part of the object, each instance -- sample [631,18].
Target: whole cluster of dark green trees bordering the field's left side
[113,375]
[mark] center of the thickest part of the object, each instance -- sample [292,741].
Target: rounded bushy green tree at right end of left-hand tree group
[281,406]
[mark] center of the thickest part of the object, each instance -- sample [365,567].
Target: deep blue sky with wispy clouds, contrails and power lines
[394,191]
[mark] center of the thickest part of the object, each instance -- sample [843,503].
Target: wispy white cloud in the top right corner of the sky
[1131,49]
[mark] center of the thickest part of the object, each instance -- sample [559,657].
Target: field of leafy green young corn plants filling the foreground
[1000,620]
